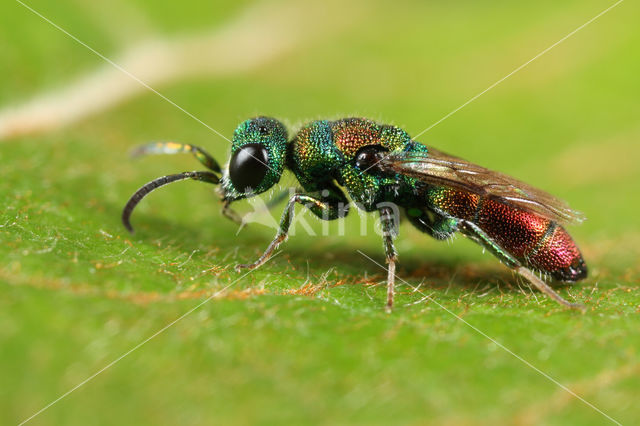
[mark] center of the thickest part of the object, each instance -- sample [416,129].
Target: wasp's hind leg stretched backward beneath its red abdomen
[478,235]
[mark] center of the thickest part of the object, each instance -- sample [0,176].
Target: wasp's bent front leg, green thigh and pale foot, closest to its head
[332,205]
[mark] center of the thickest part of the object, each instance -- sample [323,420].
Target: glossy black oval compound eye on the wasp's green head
[248,167]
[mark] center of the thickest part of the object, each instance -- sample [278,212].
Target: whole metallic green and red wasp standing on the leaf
[383,170]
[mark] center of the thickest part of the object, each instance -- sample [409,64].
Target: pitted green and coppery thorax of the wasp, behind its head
[324,151]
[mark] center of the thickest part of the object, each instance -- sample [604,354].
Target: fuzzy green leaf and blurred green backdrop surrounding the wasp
[305,338]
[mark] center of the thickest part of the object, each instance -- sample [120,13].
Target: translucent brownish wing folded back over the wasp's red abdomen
[440,169]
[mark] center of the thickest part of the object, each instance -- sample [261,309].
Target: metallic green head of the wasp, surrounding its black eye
[272,135]
